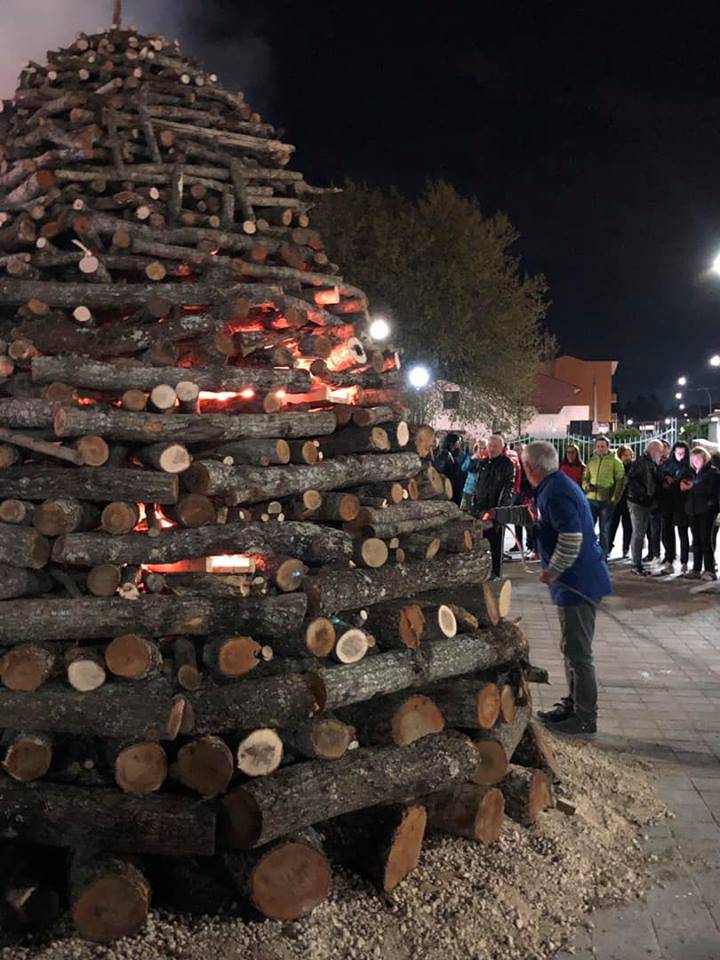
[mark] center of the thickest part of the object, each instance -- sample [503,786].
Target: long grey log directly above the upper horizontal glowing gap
[96,375]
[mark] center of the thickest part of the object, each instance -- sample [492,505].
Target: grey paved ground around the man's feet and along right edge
[658,664]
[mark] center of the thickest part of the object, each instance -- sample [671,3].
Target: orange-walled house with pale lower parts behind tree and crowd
[568,390]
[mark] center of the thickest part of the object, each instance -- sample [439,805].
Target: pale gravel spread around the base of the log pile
[520,899]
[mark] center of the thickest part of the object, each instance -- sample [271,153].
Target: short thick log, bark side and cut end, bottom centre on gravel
[264,876]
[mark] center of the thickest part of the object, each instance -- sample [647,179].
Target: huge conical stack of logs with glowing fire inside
[243,632]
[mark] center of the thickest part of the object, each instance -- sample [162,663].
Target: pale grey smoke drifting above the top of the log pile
[32,27]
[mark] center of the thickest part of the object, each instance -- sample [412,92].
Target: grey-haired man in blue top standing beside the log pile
[575,569]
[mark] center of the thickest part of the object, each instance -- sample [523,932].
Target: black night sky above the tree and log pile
[596,127]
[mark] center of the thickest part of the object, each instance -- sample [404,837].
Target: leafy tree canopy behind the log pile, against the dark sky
[446,276]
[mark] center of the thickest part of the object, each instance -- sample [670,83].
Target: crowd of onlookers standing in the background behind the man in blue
[663,503]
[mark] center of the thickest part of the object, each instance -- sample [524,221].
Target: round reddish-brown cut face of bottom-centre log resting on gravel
[290,881]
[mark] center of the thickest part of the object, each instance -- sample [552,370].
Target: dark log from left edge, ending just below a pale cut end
[86,483]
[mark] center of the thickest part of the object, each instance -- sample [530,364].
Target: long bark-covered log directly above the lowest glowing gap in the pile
[302,540]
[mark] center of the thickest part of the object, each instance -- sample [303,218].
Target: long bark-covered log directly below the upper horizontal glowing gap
[187,427]
